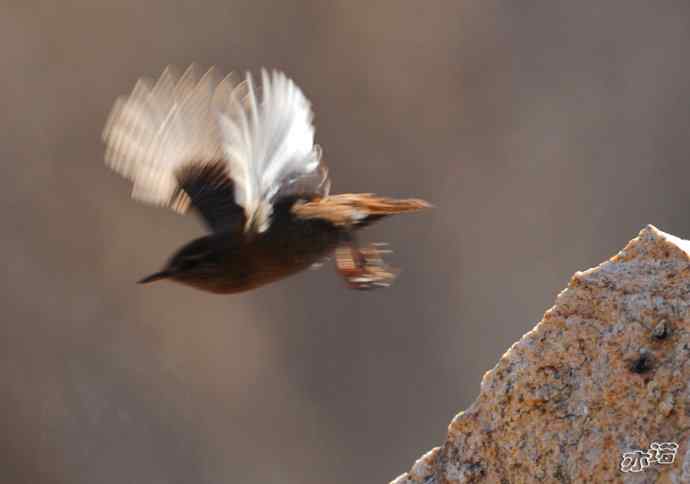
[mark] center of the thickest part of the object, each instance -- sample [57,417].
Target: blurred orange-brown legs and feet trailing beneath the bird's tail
[363,268]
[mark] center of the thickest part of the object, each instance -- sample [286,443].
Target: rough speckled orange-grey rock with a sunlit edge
[586,394]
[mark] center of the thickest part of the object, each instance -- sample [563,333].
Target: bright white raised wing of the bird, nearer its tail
[269,143]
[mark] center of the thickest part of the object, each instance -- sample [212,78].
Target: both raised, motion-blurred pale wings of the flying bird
[243,149]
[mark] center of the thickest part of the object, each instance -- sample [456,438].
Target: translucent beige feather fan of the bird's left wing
[158,128]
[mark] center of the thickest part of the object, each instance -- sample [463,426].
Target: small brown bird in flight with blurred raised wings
[241,154]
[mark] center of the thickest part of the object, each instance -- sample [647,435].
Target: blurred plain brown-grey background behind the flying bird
[547,134]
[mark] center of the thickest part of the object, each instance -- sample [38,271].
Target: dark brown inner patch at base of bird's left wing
[211,192]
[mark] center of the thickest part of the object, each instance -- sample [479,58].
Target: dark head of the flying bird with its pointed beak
[197,260]
